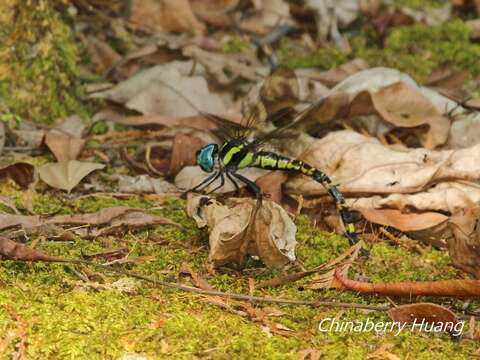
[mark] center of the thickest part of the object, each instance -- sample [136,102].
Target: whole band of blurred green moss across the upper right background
[416,50]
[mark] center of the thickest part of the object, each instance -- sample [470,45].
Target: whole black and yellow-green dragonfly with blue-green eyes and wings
[240,150]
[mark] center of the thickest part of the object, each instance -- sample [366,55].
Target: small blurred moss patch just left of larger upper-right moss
[292,56]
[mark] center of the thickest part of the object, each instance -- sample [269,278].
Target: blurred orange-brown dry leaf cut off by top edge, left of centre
[165,16]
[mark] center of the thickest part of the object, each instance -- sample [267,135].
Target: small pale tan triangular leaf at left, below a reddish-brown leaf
[66,175]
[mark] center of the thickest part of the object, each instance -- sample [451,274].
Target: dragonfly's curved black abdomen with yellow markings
[272,161]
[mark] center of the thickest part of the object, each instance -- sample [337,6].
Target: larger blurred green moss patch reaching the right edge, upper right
[420,49]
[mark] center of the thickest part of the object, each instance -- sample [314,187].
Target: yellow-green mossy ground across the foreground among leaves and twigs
[66,321]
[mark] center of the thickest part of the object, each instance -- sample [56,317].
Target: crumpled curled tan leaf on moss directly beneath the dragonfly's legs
[271,237]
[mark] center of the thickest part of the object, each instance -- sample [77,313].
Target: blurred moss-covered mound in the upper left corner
[38,61]
